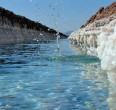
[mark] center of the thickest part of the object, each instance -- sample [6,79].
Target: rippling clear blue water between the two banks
[37,77]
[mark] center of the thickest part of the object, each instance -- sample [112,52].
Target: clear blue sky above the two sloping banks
[62,15]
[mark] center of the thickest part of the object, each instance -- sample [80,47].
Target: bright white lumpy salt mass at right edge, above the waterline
[107,50]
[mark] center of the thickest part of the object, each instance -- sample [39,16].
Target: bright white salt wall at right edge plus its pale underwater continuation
[107,53]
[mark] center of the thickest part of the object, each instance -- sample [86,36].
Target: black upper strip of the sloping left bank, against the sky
[22,21]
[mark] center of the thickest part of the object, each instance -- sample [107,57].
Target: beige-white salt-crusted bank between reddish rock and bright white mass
[88,37]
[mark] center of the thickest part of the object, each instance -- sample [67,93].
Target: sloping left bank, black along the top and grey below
[19,29]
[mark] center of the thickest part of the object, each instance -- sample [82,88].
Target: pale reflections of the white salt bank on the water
[93,71]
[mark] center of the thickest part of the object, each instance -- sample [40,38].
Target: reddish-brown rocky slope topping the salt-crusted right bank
[102,13]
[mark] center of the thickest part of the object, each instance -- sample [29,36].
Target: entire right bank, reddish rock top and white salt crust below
[98,37]
